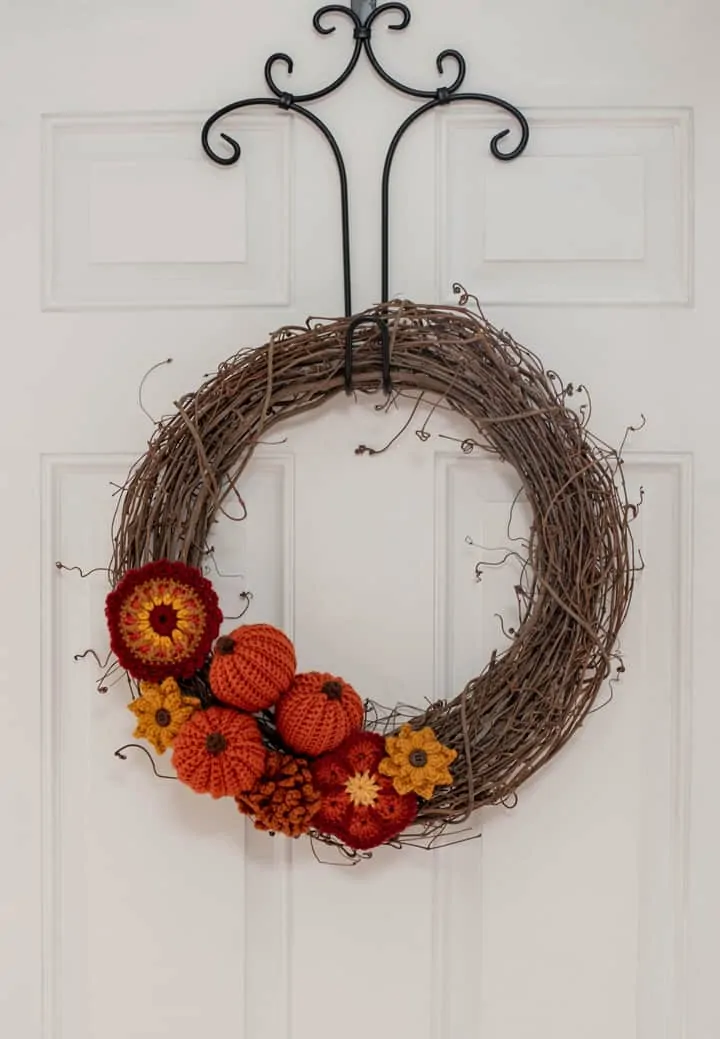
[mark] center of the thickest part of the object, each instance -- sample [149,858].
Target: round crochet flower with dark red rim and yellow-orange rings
[164,620]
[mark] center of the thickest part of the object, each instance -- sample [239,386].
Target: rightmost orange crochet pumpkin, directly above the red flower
[317,713]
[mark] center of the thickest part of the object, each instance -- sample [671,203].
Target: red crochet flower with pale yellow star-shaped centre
[360,807]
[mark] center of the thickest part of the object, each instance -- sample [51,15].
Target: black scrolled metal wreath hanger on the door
[363,17]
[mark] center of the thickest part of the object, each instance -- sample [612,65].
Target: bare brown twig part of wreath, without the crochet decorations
[527,702]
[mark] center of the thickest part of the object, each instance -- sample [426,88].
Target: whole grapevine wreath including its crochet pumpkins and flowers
[306,754]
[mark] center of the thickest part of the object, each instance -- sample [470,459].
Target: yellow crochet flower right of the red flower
[417,762]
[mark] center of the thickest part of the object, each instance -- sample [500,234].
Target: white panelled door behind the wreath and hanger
[130,907]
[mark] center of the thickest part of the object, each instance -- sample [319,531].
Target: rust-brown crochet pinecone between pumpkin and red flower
[284,801]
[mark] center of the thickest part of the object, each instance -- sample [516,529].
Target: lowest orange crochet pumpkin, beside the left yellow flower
[220,752]
